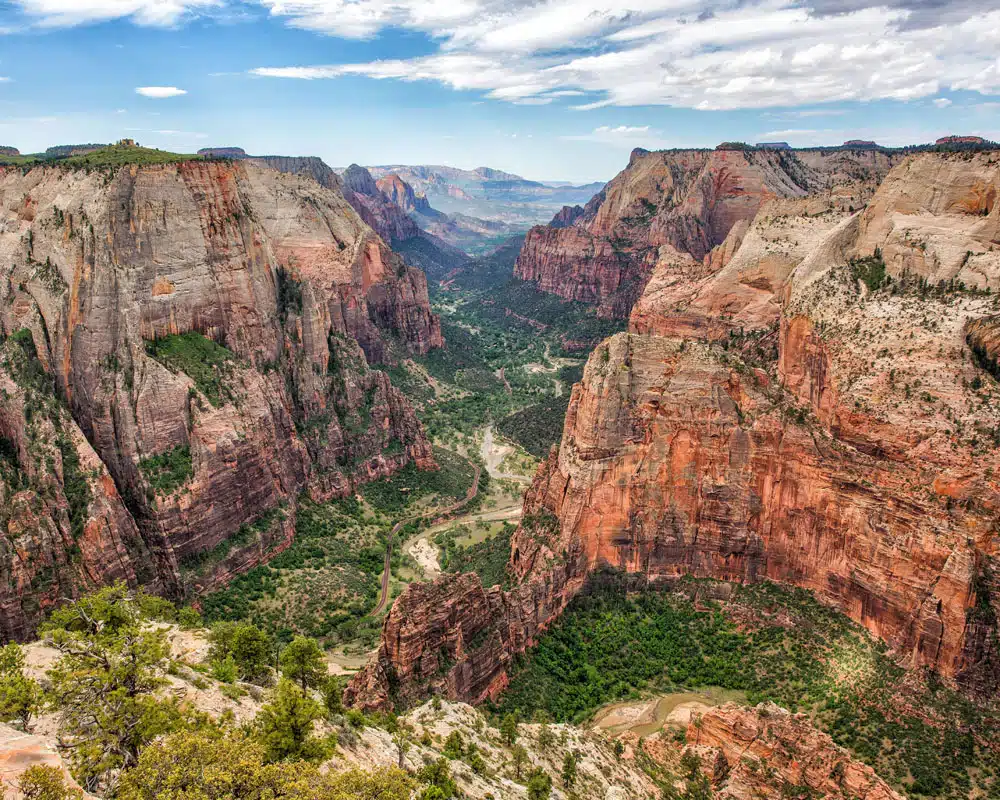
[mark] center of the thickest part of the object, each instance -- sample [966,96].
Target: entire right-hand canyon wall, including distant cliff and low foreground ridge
[803,395]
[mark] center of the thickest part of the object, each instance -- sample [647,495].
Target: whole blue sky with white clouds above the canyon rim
[550,89]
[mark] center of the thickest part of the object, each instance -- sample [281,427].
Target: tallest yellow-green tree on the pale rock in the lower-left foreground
[105,685]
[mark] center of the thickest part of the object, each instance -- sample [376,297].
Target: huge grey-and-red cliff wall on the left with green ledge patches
[216,317]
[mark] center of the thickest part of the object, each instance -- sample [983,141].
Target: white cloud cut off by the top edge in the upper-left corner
[66,13]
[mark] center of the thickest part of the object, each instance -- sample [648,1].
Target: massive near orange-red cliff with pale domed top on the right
[807,410]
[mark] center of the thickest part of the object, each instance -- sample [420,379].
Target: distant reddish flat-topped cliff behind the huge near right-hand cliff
[678,206]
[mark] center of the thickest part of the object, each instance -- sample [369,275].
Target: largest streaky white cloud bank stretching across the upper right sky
[720,54]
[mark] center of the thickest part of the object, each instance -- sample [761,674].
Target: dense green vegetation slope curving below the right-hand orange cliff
[775,644]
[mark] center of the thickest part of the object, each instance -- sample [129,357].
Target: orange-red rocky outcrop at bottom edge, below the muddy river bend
[766,752]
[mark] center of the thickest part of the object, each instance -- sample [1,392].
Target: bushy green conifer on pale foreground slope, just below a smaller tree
[286,723]
